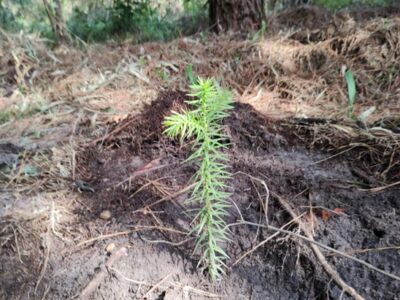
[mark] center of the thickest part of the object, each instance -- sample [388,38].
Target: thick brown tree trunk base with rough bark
[236,15]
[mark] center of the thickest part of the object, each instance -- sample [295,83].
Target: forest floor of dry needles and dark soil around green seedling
[92,202]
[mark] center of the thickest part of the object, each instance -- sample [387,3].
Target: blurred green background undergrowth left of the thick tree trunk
[145,20]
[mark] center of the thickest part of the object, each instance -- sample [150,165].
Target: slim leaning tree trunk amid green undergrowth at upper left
[54,12]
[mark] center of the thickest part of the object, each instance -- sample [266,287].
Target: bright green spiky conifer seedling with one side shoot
[203,123]
